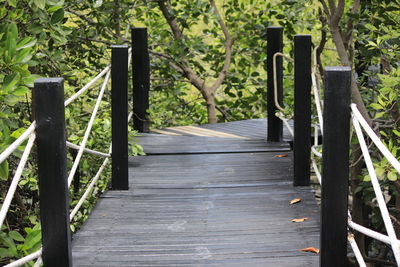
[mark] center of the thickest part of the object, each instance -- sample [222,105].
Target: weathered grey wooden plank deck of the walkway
[201,200]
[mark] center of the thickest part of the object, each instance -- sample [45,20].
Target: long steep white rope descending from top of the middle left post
[88,129]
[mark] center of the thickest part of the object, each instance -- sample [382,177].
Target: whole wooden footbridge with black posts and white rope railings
[210,195]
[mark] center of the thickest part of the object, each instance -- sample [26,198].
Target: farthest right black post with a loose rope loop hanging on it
[274,45]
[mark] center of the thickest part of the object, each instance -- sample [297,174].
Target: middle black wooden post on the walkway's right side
[302,109]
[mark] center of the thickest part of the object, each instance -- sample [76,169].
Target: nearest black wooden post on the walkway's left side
[48,102]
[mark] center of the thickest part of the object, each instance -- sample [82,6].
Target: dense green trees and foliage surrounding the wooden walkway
[207,61]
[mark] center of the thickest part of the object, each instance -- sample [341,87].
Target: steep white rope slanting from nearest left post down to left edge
[14,184]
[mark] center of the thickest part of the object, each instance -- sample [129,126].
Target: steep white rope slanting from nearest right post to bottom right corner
[377,189]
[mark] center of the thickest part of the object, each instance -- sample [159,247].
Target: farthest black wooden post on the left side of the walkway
[141,79]
